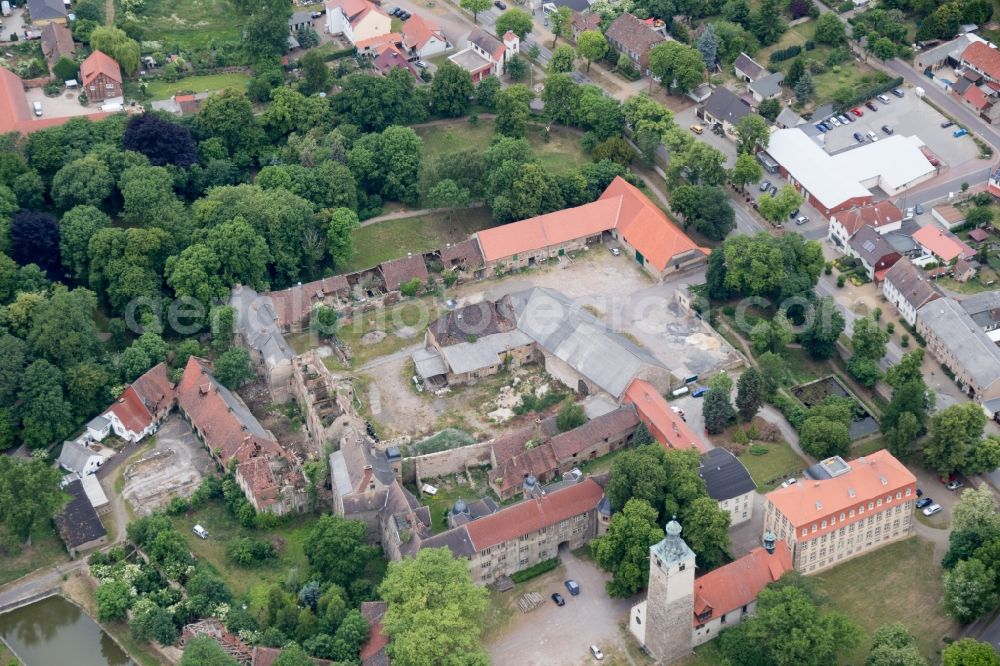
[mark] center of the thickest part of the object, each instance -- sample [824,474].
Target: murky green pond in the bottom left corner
[55,631]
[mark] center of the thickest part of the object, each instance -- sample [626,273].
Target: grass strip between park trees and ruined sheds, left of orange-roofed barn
[392,239]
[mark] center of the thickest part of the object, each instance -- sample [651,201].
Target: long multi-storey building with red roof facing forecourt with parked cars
[522,535]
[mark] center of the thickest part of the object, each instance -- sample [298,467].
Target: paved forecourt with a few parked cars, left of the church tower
[554,636]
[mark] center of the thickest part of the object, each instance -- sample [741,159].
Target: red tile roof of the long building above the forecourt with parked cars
[534,514]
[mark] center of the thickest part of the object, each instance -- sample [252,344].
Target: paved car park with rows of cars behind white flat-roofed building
[906,116]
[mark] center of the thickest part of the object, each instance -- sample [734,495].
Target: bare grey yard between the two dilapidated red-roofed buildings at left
[174,468]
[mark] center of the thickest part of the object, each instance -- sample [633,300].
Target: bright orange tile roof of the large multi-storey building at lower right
[807,502]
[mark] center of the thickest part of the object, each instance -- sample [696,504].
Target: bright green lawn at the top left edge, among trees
[190,24]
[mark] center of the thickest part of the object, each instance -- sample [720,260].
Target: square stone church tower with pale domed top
[662,622]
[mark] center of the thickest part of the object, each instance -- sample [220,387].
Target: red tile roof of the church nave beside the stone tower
[738,583]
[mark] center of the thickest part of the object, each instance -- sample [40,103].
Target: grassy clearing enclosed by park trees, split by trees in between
[561,153]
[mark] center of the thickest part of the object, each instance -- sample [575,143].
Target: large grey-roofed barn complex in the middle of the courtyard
[541,325]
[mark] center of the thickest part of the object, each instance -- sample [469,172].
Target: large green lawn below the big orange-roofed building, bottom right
[901,582]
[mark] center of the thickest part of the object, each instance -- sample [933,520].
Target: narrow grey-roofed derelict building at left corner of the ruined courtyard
[257,329]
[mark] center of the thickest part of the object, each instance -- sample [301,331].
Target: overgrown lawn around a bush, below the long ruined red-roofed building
[222,528]
